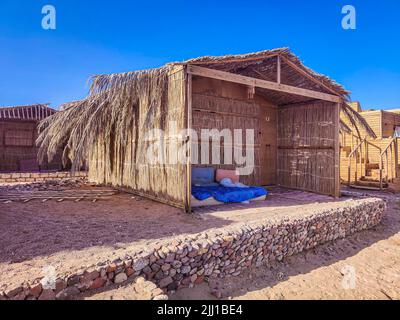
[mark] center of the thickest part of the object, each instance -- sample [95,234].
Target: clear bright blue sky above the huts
[94,37]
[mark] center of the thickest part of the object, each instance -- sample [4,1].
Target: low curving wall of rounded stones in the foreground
[222,252]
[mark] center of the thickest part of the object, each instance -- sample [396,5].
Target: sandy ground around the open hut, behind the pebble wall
[70,236]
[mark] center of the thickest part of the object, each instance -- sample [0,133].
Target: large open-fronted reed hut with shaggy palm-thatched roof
[293,111]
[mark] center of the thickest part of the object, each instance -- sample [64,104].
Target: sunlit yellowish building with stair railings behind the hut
[368,162]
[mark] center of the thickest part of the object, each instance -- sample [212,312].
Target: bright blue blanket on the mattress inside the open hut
[228,195]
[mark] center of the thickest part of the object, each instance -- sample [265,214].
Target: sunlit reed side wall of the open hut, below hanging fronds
[128,166]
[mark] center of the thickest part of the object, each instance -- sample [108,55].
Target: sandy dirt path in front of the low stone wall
[325,272]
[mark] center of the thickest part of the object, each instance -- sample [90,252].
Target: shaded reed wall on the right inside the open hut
[306,147]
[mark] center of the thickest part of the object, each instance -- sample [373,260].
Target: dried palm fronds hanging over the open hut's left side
[107,113]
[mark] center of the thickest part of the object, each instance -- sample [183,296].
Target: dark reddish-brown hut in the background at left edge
[18,132]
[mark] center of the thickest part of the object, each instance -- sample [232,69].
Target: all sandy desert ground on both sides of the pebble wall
[73,235]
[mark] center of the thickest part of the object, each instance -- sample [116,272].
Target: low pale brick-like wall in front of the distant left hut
[38,176]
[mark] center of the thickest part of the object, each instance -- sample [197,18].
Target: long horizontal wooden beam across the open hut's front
[236,78]
